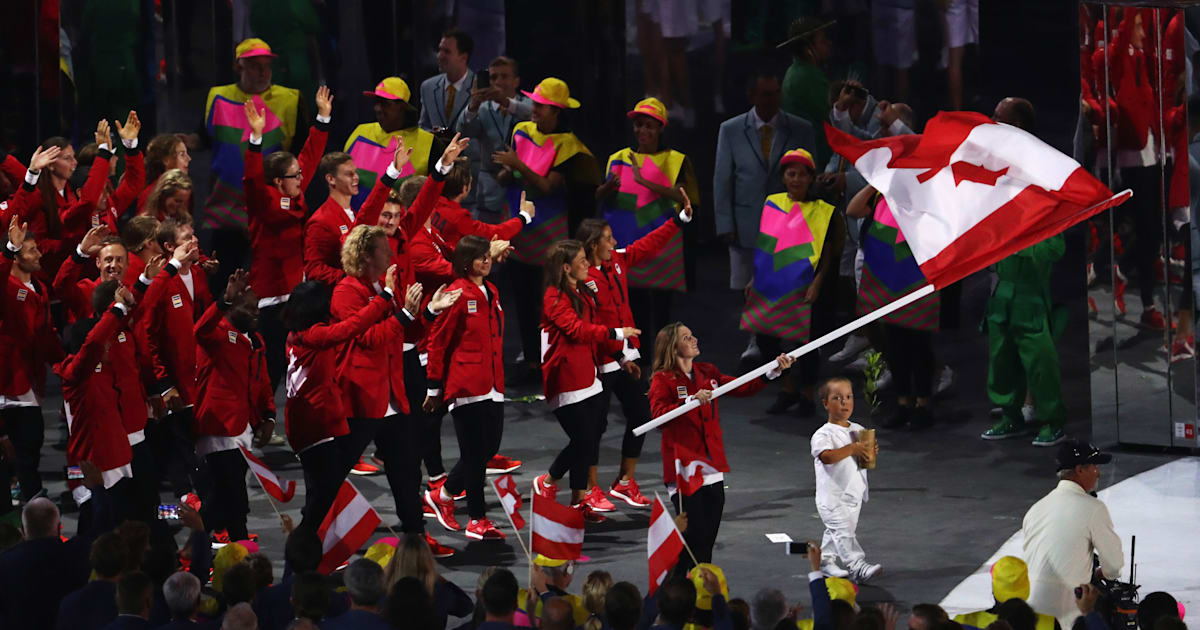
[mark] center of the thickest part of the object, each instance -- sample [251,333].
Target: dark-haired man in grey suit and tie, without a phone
[446,97]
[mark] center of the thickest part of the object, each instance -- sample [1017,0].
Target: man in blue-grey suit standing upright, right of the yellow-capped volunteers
[748,151]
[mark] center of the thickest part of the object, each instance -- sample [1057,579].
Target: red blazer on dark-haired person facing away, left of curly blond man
[315,410]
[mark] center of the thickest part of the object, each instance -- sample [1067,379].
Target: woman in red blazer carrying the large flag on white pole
[677,380]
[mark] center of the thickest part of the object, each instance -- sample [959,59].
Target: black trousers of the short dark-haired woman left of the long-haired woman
[479,427]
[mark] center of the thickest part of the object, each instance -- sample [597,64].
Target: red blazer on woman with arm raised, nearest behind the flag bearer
[611,285]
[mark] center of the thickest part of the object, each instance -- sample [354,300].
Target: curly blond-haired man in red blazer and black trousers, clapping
[373,370]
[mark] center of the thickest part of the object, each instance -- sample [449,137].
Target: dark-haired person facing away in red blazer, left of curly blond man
[315,409]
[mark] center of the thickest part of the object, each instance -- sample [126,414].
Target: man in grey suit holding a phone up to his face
[489,121]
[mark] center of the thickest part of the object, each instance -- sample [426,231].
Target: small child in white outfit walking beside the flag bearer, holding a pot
[842,484]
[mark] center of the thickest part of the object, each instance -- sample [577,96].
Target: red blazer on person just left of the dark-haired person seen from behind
[231,375]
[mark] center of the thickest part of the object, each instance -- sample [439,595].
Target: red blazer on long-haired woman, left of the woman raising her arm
[571,344]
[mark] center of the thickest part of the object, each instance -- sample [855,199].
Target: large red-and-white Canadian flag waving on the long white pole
[969,191]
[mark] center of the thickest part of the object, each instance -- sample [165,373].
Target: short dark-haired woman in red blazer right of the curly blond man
[466,371]
